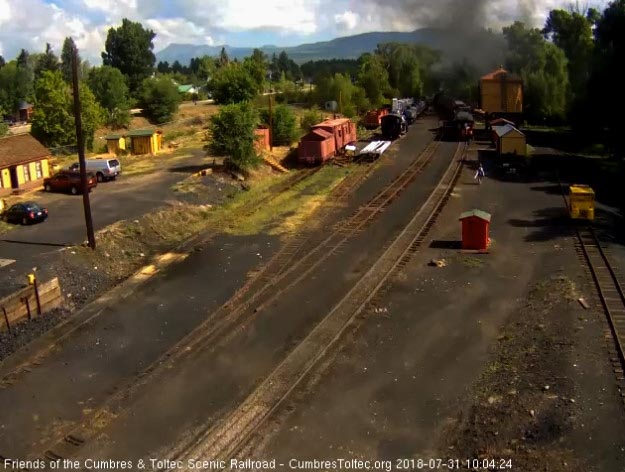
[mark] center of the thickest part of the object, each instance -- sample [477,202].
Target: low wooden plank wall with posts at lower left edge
[25,303]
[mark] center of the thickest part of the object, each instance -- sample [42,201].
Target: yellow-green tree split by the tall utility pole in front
[53,119]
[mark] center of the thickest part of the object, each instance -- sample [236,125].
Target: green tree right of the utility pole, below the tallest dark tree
[111,92]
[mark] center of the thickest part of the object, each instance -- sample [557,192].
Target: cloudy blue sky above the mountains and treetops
[30,24]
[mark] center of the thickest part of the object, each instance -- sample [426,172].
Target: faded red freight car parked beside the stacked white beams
[325,140]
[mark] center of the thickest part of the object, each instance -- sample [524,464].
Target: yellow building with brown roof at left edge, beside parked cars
[24,163]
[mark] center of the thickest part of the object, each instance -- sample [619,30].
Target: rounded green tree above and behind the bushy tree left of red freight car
[233,84]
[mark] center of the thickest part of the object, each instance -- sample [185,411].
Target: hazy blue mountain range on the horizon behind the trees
[483,48]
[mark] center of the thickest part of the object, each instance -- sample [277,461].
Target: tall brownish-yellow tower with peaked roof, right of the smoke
[501,93]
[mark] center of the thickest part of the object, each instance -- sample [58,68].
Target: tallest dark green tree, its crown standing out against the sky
[129,49]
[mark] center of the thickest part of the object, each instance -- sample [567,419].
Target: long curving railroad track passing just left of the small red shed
[226,439]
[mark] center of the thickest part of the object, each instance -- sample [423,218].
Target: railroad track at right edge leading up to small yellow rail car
[610,293]
